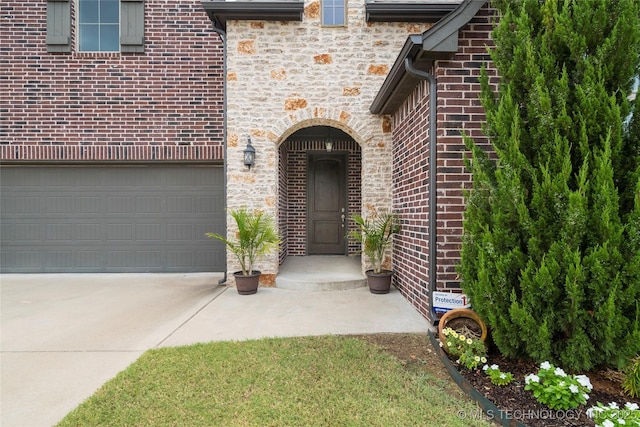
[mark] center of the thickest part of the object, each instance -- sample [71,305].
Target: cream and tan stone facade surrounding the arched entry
[285,76]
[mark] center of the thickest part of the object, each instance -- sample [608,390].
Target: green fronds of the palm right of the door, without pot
[375,233]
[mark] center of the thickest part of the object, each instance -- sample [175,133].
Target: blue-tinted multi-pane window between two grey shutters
[99,25]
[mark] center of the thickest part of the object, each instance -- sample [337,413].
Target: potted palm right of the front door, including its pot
[375,233]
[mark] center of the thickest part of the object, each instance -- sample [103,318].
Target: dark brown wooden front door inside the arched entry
[326,203]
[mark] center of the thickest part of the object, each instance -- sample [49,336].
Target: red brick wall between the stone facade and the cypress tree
[459,110]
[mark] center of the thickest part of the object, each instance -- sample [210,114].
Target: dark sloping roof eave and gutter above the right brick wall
[438,42]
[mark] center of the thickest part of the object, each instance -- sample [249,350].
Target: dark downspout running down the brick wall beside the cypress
[433,208]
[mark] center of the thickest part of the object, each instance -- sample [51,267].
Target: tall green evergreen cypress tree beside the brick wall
[551,251]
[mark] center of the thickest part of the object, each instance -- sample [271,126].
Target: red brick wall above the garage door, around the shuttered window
[163,104]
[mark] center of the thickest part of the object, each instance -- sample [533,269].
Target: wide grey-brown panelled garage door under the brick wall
[111,219]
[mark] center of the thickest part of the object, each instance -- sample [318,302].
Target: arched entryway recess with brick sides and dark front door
[319,188]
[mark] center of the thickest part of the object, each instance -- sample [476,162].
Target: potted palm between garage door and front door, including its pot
[256,236]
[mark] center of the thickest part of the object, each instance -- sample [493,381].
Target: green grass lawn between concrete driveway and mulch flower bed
[310,381]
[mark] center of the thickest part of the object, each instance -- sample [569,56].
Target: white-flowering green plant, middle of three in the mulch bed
[554,388]
